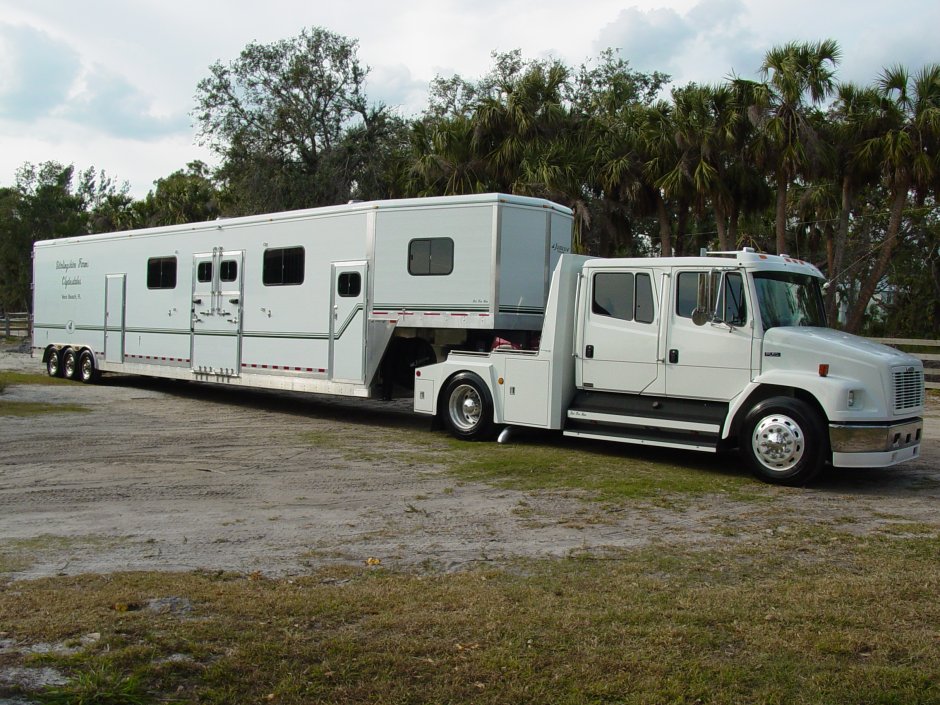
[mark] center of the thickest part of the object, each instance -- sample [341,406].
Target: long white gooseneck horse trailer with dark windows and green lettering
[339,300]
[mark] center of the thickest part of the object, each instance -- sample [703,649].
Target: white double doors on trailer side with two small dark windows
[216,312]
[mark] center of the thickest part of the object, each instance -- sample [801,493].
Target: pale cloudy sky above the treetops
[110,83]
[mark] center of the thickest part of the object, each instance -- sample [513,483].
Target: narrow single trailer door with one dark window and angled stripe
[348,322]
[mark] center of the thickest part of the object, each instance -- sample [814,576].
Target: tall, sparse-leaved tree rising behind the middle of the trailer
[281,116]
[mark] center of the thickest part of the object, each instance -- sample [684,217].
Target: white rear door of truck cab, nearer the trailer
[619,336]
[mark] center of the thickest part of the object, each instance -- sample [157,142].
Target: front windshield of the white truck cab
[789,299]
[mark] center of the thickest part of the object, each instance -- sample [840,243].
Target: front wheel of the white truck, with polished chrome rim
[783,441]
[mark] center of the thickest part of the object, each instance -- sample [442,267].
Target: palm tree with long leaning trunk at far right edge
[908,155]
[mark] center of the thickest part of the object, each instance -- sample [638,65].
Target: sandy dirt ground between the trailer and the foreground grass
[167,476]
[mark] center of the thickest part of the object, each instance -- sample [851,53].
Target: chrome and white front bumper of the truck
[874,446]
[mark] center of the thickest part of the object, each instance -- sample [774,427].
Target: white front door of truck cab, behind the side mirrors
[708,351]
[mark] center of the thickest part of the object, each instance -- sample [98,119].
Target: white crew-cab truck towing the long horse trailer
[703,353]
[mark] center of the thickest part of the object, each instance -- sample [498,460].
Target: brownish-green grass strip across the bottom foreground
[813,616]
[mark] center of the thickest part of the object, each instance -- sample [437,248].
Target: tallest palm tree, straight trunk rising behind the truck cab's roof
[793,74]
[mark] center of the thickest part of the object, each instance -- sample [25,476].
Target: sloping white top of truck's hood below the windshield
[832,344]
